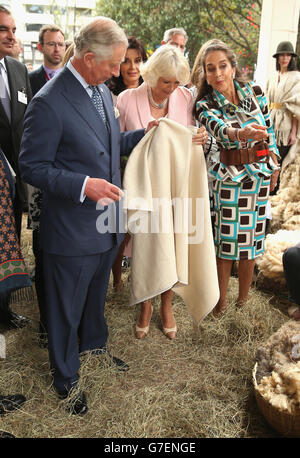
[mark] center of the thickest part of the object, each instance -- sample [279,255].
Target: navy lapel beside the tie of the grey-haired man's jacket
[81,101]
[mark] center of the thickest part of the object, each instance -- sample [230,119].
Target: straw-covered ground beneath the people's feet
[197,386]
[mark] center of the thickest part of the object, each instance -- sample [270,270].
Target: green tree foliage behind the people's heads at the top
[234,21]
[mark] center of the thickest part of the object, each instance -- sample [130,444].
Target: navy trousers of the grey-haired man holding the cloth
[75,299]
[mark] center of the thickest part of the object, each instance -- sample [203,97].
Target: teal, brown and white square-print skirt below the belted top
[240,218]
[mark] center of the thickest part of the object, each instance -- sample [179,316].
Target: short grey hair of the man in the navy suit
[100,37]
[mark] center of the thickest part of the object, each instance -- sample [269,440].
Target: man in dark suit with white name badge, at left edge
[15,95]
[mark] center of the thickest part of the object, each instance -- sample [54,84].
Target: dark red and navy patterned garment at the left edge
[13,273]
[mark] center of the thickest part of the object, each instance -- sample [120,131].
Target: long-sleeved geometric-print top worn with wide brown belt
[217,114]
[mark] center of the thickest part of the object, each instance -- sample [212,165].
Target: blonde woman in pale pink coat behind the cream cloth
[161,95]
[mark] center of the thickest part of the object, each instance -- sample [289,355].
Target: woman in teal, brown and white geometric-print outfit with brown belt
[235,112]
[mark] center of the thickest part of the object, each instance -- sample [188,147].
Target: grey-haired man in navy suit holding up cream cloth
[73,154]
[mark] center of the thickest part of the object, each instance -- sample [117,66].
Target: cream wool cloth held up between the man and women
[166,165]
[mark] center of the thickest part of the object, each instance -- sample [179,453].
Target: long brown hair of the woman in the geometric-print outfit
[199,74]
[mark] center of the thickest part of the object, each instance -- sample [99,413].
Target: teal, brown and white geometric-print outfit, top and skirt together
[240,192]
